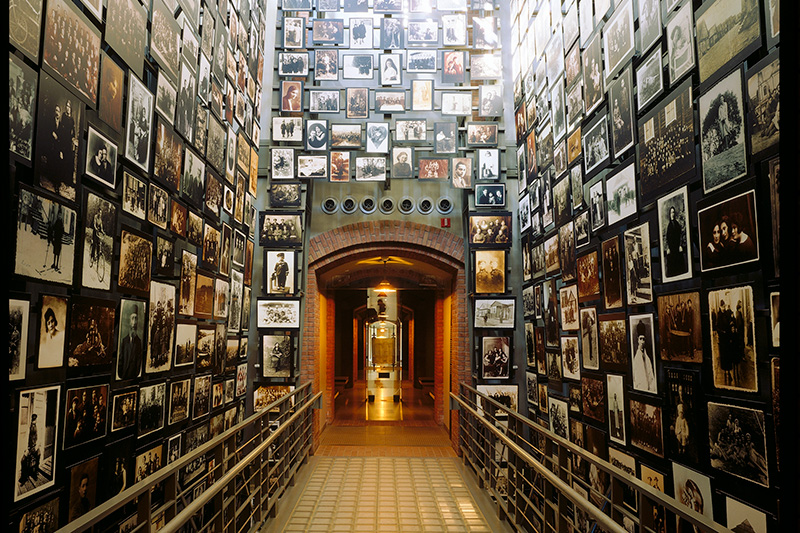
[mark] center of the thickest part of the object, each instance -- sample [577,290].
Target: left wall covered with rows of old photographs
[133,132]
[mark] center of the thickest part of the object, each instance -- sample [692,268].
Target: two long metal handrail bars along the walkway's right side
[657,497]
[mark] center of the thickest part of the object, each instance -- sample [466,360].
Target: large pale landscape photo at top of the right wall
[726,31]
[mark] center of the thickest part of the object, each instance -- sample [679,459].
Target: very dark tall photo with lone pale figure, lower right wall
[683,414]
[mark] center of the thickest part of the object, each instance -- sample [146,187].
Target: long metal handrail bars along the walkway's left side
[170,473]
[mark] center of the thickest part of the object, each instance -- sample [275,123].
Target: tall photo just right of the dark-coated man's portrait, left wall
[161,327]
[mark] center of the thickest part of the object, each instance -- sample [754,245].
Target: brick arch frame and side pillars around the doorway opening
[408,239]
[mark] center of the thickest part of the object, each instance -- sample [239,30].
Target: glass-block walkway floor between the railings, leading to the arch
[385,478]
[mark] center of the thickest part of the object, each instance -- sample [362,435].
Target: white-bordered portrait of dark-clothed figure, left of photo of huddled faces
[673,223]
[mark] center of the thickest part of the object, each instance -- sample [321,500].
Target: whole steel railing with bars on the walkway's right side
[545,483]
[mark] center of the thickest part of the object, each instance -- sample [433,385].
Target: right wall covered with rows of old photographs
[647,135]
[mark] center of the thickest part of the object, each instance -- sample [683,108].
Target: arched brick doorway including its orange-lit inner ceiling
[340,259]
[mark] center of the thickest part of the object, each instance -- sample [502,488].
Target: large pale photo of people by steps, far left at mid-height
[46,235]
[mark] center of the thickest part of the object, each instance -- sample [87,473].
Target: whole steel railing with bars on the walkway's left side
[246,469]
